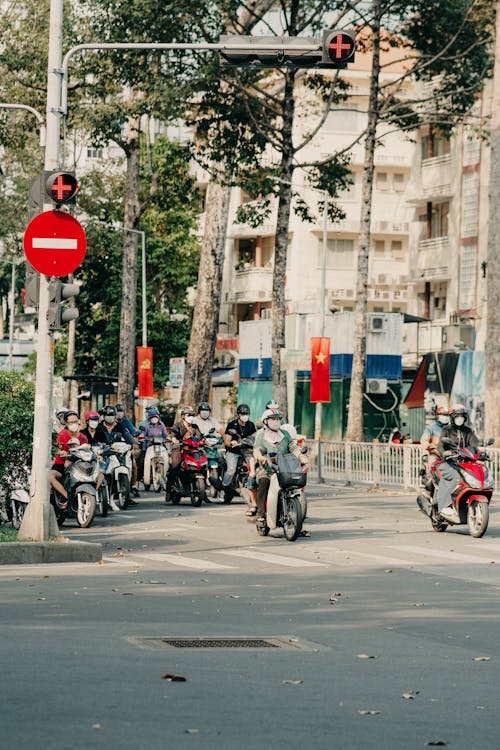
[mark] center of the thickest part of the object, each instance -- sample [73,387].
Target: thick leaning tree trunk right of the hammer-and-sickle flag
[201,350]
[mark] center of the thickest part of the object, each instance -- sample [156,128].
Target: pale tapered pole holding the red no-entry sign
[39,522]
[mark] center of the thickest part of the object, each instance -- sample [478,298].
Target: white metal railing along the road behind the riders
[377,464]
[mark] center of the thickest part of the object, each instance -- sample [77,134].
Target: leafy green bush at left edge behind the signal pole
[17,397]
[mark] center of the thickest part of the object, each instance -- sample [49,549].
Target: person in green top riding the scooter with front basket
[273,439]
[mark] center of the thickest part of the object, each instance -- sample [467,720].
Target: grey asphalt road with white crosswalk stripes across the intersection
[389,633]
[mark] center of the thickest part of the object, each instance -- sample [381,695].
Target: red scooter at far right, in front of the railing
[471,496]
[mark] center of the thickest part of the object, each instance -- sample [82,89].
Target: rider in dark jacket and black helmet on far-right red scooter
[460,436]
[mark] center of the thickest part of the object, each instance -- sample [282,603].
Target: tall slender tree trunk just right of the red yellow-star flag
[355,425]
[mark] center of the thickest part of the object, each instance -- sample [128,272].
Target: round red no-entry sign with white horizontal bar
[55,243]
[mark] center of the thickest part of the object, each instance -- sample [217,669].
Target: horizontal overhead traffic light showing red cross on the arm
[334,50]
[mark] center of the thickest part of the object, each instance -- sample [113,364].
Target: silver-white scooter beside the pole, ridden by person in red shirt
[80,484]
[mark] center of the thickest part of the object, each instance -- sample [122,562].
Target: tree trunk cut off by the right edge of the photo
[492,349]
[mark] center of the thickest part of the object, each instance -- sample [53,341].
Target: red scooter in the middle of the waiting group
[190,478]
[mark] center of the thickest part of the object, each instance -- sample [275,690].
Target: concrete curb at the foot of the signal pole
[35,553]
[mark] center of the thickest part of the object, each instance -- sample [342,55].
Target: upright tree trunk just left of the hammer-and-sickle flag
[126,357]
